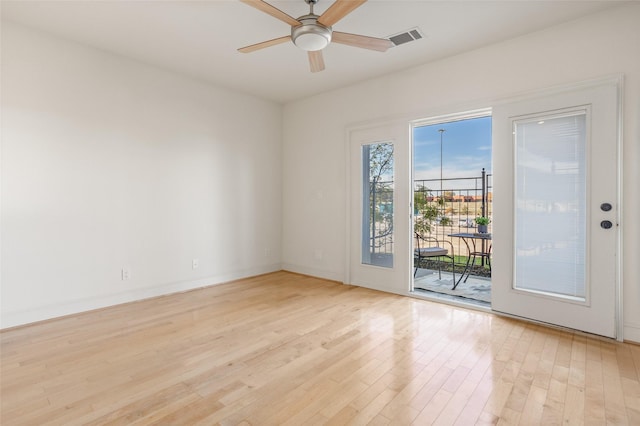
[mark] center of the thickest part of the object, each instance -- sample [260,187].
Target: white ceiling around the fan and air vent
[200,38]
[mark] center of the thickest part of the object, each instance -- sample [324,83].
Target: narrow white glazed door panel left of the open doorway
[379,221]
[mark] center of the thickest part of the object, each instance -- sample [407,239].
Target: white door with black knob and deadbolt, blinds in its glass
[555,222]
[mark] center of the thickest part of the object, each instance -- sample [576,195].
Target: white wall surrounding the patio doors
[314,161]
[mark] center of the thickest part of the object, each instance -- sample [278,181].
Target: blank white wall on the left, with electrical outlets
[108,163]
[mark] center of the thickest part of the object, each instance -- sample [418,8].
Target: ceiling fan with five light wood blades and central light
[313,33]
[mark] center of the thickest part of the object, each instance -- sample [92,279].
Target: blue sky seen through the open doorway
[466,149]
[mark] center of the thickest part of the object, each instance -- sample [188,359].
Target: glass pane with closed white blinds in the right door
[551,204]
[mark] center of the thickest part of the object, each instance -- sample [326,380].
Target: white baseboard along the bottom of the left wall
[13,319]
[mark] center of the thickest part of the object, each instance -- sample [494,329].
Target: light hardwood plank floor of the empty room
[295,350]
